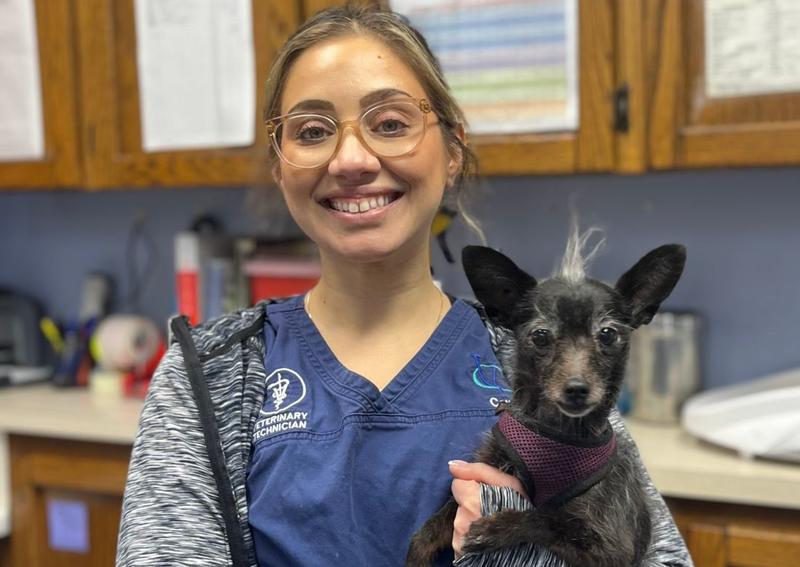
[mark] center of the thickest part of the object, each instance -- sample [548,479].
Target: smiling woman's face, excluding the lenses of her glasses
[340,78]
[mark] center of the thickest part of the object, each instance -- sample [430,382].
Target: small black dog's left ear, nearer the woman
[497,282]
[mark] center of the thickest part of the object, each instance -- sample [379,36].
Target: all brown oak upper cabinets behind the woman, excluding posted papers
[642,102]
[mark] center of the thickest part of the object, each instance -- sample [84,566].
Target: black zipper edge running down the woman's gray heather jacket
[233,529]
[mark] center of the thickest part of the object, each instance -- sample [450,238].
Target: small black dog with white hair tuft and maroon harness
[566,368]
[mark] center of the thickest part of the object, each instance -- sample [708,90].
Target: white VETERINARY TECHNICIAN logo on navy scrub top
[283,390]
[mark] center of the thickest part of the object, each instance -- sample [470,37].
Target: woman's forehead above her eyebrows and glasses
[345,69]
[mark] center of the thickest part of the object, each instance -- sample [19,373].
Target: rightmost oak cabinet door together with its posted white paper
[690,128]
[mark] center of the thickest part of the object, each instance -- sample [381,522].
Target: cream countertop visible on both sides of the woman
[680,465]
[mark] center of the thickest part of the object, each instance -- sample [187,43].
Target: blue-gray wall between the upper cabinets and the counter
[741,228]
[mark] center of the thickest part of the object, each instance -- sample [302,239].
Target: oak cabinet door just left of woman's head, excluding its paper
[110,103]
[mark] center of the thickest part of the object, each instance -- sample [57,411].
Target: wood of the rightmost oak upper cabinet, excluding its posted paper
[680,124]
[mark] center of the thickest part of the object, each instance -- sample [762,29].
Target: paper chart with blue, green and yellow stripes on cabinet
[511,64]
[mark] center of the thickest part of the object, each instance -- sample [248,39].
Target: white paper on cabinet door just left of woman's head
[196,66]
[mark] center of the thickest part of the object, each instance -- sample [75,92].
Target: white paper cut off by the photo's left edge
[21,121]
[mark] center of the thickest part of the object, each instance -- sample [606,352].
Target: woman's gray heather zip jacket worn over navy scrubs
[199,414]
